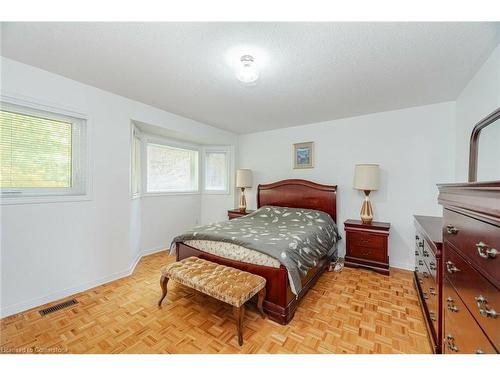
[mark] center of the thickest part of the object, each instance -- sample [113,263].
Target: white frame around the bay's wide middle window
[147,139]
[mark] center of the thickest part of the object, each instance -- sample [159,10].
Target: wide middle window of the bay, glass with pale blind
[171,169]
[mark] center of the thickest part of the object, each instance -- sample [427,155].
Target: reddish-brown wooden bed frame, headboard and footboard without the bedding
[280,303]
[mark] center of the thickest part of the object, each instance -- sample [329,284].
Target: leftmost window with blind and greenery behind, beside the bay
[41,153]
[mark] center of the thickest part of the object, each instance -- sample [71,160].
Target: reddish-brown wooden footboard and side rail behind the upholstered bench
[280,303]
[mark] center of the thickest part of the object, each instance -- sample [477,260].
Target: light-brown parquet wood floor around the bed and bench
[355,311]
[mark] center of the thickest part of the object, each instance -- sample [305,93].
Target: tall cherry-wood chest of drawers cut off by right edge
[471,267]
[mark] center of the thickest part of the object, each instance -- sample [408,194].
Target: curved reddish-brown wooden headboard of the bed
[299,194]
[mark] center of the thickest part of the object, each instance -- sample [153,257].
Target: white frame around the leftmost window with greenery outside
[80,181]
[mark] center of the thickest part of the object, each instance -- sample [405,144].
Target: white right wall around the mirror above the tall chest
[479,98]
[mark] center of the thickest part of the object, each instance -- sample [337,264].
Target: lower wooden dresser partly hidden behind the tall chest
[428,273]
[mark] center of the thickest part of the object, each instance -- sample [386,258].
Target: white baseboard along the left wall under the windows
[29,304]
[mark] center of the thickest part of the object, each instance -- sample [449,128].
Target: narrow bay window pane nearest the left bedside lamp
[216,171]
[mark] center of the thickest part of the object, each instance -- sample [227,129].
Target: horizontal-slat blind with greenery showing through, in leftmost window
[35,152]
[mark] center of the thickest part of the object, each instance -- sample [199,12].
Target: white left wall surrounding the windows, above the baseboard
[51,250]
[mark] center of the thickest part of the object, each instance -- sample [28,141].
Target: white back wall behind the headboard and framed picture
[415,150]
